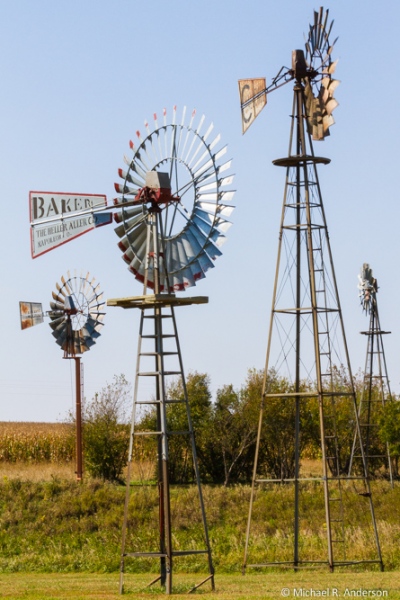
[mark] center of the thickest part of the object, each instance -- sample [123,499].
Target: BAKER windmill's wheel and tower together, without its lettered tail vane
[171,224]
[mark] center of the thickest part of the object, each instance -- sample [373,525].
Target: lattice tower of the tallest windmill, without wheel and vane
[306,339]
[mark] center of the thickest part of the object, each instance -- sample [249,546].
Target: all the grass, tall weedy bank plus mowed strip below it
[60,539]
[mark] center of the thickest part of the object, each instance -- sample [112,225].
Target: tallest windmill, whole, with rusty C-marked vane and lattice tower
[306,344]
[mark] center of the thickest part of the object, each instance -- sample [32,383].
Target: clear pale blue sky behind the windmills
[79,78]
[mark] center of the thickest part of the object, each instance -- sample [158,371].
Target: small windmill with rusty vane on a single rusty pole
[76,317]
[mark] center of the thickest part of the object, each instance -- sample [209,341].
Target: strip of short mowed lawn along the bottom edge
[304,584]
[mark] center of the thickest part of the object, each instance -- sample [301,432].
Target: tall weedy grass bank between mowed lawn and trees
[78,527]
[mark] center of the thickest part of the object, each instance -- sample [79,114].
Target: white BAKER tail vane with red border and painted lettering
[57,218]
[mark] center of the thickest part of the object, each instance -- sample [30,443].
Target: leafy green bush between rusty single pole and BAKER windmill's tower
[105,430]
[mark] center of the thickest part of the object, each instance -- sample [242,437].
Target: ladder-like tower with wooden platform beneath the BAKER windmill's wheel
[158,329]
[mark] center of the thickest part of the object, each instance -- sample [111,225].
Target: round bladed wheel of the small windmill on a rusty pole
[76,314]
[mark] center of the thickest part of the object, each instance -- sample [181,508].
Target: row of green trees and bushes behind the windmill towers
[226,429]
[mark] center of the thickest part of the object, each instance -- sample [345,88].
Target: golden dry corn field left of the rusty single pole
[37,442]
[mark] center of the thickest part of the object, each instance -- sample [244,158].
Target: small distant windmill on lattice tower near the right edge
[376,386]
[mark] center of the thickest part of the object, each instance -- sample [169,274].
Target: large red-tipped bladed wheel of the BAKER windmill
[192,214]
